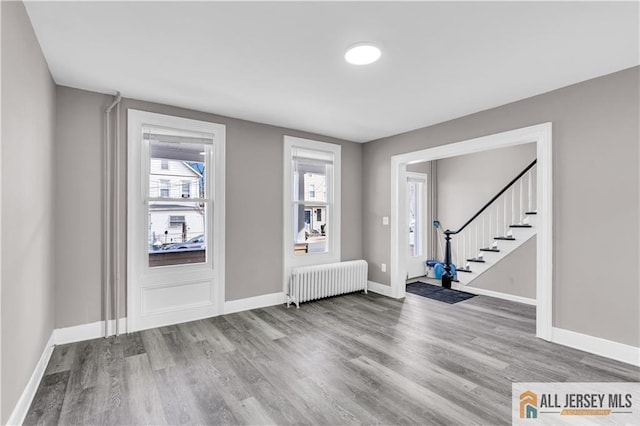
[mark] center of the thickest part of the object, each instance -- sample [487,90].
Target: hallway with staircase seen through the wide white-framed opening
[490,197]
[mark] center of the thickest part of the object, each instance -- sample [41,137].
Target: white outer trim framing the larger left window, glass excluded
[136,230]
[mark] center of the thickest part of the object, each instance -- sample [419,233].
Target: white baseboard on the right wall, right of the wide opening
[596,345]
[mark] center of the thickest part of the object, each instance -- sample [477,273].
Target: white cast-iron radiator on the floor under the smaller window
[318,281]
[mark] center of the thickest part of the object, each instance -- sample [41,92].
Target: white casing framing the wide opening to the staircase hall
[541,134]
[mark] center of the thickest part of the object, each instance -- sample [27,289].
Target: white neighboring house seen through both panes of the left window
[176,173]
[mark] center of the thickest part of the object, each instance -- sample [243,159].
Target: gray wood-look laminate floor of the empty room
[355,359]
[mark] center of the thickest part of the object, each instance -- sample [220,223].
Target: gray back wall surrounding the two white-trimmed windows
[254,258]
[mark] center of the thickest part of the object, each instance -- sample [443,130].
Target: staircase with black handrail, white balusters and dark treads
[502,225]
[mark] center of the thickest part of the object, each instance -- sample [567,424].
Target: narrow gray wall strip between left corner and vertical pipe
[78,184]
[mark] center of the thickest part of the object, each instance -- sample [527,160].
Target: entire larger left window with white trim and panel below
[175,245]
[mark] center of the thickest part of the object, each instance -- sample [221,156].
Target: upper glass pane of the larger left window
[176,169]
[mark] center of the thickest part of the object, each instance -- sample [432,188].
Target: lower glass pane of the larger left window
[176,233]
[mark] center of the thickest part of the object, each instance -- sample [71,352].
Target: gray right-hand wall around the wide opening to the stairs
[596,190]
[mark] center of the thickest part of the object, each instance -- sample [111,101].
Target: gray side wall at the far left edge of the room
[27,203]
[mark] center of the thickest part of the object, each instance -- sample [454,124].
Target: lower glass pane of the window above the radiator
[310,229]
